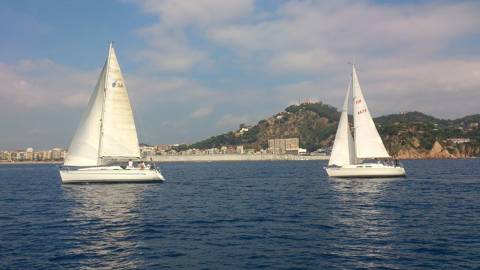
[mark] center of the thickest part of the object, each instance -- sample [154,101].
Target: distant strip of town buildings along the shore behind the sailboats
[289,146]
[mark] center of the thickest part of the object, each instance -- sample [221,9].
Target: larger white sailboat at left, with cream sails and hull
[106,137]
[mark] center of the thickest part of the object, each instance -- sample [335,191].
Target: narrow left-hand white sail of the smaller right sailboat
[343,150]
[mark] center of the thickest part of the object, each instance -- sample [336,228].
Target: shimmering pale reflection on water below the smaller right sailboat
[364,220]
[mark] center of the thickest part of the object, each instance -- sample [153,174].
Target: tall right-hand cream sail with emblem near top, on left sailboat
[118,134]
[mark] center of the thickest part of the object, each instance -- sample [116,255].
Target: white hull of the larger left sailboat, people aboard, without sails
[111,174]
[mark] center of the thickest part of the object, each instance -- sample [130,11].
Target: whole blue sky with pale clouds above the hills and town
[195,69]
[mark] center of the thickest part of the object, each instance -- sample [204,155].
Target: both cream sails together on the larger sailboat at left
[107,130]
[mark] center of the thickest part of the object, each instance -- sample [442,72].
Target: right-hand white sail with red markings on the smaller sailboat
[368,143]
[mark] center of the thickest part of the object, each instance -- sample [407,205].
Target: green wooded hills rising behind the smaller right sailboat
[315,125]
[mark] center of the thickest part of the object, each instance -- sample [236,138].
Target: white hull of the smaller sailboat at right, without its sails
[366,170]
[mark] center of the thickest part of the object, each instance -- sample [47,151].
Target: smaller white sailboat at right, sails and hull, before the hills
[350,156]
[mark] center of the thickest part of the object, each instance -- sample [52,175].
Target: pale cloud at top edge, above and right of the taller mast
[169,45]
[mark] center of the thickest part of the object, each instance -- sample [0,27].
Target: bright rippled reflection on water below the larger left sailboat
[104,218]
